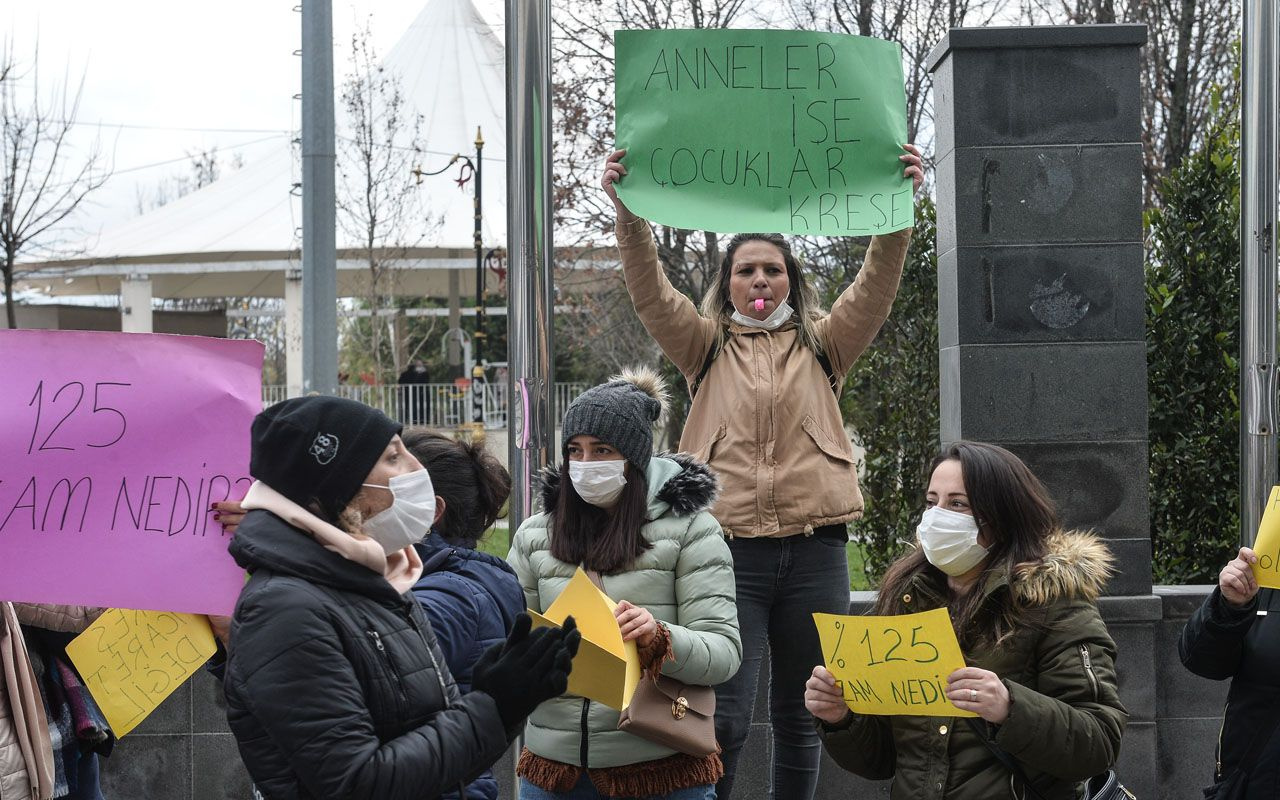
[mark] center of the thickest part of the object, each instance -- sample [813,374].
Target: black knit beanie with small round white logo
[319,450]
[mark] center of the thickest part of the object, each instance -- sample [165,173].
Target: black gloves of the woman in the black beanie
[528,669]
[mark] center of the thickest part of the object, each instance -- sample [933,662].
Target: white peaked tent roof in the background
[249,223]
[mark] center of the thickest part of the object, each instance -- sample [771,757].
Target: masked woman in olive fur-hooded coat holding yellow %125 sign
[1022,595]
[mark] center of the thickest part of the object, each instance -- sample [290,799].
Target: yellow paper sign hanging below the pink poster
[134,660]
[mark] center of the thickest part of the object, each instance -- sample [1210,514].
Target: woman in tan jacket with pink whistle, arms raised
[765,365]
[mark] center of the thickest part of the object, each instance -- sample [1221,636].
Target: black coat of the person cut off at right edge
[1242,644]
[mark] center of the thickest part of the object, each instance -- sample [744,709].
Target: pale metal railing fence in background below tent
[437,405]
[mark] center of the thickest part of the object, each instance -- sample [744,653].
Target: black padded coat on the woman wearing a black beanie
[336,687]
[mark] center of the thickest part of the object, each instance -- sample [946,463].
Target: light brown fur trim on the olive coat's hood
[1077,566]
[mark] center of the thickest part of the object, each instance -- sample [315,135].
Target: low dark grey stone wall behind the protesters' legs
[184,752]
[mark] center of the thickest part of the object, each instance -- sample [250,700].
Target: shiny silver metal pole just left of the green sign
[529,241]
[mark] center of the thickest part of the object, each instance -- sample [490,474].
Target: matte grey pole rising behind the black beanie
[319,250]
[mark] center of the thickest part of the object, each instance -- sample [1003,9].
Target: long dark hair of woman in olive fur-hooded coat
[1014,510]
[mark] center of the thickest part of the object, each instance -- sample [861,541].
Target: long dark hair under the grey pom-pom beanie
[602,540]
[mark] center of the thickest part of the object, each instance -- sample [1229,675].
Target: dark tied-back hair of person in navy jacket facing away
[472,482]
